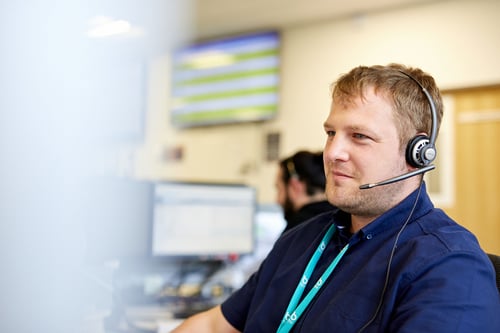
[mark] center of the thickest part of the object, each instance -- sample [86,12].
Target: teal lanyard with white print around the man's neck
[295,310]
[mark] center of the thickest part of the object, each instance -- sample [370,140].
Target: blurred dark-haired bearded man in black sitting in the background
[300,187]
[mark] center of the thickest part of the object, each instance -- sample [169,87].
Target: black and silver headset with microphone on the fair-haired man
[421,150]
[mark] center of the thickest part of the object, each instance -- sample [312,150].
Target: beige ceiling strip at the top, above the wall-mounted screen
[224,17]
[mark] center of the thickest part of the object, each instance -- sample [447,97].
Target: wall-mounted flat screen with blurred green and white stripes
[225,81]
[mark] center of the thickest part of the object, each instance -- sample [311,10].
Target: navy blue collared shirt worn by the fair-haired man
[439,281]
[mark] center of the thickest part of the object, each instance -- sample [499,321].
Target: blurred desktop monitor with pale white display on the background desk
[202,220]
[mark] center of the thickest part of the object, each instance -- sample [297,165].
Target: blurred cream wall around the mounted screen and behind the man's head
[456,41]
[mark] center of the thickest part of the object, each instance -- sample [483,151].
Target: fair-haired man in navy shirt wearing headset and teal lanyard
[388,260]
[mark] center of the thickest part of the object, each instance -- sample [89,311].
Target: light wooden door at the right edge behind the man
[477,164]
